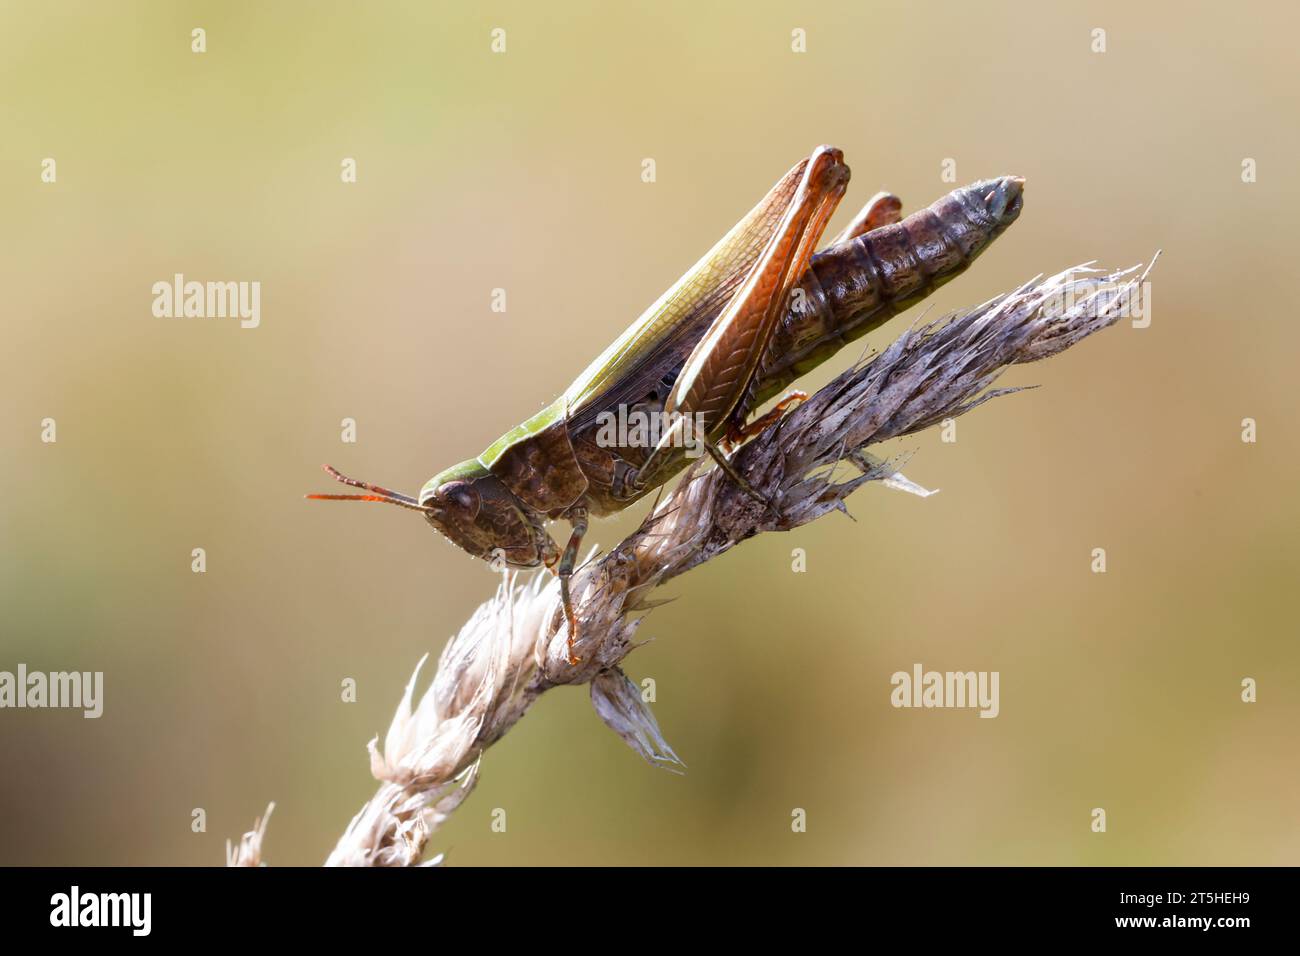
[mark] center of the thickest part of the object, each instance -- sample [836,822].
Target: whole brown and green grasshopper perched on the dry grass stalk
[757,312]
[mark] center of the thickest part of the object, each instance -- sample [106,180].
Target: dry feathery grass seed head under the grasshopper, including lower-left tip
[514,648]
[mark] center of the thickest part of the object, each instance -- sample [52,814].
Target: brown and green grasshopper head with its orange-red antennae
[474,511]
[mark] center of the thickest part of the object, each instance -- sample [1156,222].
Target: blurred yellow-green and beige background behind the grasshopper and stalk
[523,171]
